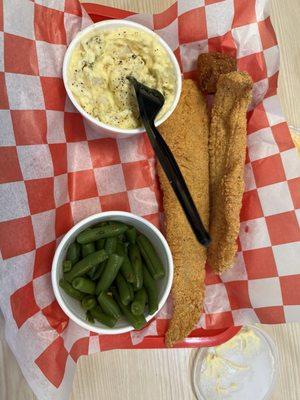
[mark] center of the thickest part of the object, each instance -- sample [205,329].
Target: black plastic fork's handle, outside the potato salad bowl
[177,182]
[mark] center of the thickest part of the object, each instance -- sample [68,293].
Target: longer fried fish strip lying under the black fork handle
[186,133]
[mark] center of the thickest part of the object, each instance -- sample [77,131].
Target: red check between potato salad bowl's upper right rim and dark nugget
[192,26]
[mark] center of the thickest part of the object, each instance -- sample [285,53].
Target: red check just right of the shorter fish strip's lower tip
[260,263]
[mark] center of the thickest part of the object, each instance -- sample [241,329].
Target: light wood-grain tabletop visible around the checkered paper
[166,374]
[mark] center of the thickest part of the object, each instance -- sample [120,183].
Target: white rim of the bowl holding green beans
[71,232]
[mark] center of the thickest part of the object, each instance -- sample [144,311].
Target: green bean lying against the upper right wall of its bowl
[152,260]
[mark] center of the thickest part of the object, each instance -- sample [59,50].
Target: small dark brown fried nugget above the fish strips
[209,68]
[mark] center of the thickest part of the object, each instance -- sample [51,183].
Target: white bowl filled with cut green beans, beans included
[112,272]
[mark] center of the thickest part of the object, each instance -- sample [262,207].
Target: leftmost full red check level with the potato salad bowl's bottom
[30,126]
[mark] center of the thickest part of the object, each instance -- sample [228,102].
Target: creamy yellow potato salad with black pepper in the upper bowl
[98,72]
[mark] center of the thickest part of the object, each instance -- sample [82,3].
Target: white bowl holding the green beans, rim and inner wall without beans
[72,307]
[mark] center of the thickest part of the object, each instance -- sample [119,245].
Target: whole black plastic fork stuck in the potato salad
[150,102]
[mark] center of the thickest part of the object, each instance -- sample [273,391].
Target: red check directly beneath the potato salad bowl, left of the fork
[104,152]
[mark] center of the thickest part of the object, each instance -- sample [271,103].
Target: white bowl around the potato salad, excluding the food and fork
[94,123]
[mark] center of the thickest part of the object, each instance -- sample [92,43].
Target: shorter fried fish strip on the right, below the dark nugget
[227,149]
